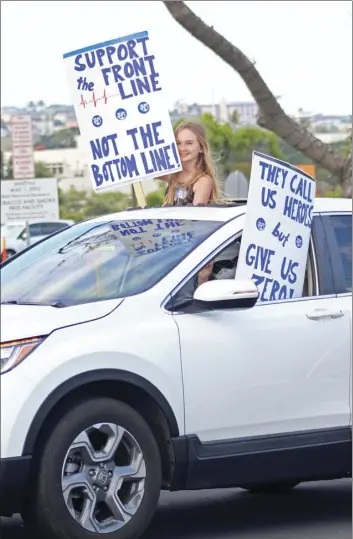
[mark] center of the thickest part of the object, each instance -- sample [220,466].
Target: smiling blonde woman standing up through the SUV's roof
[196,183]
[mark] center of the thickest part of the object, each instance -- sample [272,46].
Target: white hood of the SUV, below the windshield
[24,321]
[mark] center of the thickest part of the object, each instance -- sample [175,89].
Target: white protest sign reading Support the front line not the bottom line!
[118,98]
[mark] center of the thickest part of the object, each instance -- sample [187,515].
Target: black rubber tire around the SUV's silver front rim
[50,516]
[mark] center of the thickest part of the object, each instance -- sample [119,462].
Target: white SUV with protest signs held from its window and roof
[122,377]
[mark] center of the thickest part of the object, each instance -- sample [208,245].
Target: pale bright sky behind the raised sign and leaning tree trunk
[302,49]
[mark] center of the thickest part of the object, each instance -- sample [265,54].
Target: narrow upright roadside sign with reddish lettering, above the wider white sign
[22,147]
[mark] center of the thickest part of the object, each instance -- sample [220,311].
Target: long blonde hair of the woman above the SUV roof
[205,166]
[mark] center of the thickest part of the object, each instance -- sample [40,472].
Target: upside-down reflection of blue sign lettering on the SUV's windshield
[142,237]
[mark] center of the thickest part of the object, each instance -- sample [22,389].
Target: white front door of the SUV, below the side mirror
[278,367]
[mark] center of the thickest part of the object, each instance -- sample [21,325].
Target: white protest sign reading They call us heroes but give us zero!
[275,241]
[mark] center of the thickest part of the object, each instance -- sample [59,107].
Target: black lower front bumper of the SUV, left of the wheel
[14,482]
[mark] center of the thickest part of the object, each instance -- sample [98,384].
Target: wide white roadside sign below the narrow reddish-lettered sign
[26,200]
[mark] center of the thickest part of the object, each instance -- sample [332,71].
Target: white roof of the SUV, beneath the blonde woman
[212,212]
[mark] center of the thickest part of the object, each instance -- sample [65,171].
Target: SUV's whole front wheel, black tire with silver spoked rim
[99,475]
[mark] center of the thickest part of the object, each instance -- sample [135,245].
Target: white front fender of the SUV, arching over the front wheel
[138,337]
